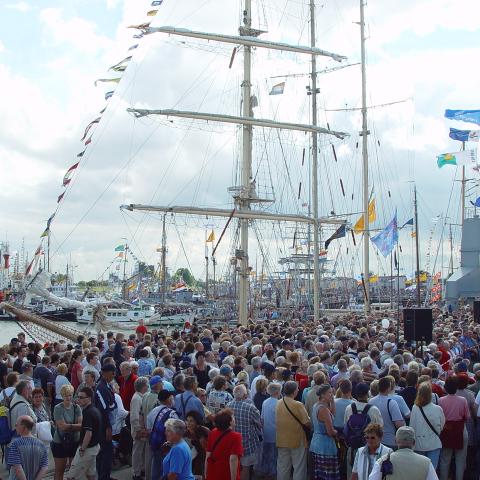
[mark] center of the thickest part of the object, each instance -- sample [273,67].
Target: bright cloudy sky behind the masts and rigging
[52,51]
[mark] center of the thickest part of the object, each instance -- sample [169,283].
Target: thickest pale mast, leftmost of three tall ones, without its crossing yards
[246,170]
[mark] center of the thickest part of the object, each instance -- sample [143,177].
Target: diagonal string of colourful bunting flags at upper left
[87,136]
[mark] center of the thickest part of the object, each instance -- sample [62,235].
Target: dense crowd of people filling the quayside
[341,398]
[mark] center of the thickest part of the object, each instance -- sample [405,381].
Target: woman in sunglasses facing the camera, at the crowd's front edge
[373,450]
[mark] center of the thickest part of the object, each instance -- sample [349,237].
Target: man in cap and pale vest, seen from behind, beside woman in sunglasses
[404,464]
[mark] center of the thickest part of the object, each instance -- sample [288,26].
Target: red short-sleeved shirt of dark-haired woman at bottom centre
[230,444]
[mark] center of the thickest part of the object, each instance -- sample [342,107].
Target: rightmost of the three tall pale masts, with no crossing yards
[366,235]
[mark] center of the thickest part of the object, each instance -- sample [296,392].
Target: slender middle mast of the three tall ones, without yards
[316,237]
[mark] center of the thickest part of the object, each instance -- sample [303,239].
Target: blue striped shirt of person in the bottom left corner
[30,453]
